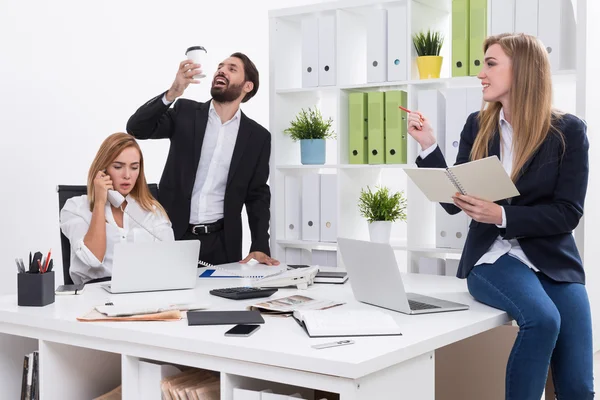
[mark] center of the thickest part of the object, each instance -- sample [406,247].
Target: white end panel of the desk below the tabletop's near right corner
[413,379]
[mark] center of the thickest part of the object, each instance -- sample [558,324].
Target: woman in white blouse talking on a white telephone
[93,225]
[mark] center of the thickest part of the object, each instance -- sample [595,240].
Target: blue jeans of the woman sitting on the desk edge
[555,328]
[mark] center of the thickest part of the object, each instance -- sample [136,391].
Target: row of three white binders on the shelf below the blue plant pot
[311,207]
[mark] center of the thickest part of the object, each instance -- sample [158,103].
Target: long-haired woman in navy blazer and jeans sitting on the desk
[520,255]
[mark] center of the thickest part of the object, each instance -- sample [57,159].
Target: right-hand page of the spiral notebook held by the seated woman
[485,178]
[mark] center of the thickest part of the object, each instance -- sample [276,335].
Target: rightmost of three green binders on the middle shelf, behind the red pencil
[395,127]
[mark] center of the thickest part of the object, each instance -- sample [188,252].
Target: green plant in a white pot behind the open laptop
[381,209]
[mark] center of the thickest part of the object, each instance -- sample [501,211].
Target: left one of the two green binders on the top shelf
[460,37]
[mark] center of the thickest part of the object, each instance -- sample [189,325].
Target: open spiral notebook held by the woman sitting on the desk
[484,178]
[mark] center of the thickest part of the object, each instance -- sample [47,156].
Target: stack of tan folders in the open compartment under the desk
[192,384]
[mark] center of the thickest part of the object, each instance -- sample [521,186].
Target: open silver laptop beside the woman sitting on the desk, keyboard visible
[376,279]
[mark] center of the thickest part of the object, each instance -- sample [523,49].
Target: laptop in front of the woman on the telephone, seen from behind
[151,266]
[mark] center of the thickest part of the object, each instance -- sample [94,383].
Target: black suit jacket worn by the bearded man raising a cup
[184,125]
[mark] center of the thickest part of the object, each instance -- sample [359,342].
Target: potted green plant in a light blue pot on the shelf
[311,130]
